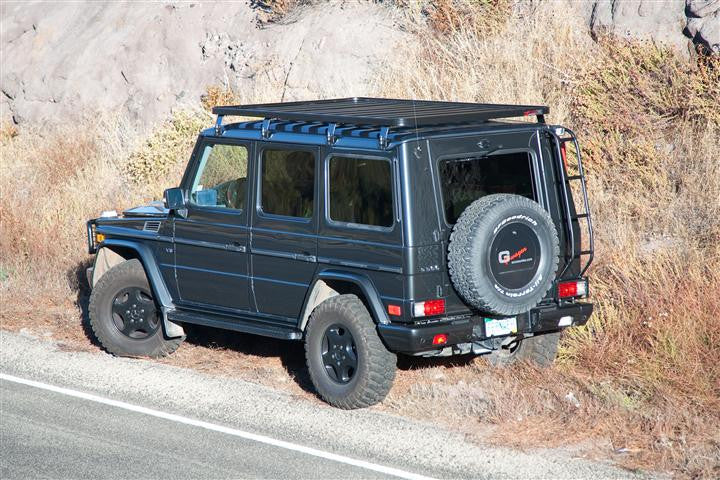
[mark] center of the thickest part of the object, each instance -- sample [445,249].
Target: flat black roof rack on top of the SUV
[383,112]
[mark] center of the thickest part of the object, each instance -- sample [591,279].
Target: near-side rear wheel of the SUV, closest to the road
[348,363]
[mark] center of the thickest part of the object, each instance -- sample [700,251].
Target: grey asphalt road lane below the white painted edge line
[45,434]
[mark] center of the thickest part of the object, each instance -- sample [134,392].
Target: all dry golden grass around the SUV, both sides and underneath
[644,374]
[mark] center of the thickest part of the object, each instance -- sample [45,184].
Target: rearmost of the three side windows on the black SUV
[360,191]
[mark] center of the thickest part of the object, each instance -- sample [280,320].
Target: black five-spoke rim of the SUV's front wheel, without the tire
[134,313]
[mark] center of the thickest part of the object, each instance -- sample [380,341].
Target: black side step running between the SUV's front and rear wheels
[236,324]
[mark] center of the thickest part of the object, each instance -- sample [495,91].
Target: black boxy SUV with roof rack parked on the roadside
[365,227]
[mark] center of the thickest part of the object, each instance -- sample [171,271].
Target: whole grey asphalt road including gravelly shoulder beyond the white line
[45,434]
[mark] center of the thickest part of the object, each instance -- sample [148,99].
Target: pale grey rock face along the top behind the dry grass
[68,60]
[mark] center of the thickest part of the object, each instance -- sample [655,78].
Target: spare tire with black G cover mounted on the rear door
[503,254]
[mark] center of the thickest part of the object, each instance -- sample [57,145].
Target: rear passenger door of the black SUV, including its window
[284,230]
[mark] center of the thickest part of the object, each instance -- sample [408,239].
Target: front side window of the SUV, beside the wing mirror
[221,179]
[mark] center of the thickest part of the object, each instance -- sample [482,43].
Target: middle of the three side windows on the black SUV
[288,183]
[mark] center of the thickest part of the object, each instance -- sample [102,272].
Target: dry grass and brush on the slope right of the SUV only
[646,369]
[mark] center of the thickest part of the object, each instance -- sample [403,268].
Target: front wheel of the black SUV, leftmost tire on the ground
[124,316]
